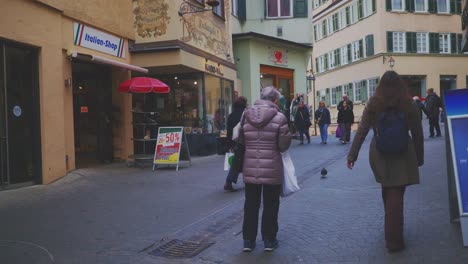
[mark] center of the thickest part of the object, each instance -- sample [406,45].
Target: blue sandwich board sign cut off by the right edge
[457,120]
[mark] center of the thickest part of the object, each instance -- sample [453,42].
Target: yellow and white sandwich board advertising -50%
[168,146]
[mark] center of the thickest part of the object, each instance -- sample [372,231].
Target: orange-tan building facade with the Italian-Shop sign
[60,65]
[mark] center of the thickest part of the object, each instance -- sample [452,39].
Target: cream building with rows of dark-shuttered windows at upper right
[356,41]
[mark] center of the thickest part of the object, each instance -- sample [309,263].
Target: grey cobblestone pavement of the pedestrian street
[114,214]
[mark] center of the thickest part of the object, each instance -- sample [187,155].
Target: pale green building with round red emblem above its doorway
[272,46]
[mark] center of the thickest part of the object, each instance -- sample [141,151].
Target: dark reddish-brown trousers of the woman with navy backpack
[393,198]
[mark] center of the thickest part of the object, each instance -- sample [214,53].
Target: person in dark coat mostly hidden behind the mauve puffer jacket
[233,119]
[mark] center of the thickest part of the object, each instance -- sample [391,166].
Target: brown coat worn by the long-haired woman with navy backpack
[392,171]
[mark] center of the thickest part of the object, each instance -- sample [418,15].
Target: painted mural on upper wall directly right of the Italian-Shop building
[151,17]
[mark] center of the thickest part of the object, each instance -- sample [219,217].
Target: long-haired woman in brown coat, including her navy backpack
[394,161]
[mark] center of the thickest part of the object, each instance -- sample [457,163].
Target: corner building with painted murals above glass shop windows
[188,45]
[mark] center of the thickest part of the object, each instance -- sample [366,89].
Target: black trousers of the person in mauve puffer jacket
[271,197]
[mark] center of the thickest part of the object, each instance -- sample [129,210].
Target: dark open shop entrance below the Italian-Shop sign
[92,111]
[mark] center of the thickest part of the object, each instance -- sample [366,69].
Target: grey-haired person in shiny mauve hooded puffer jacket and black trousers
[265,134]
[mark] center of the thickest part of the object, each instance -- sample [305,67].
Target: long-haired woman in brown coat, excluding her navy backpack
[393,172]
